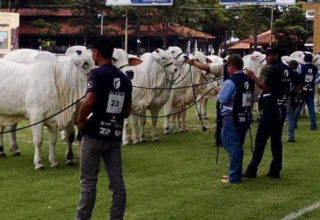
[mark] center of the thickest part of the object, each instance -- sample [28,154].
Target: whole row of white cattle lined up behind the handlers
[51,87]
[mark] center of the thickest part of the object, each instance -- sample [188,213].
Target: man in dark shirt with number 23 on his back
[107,103]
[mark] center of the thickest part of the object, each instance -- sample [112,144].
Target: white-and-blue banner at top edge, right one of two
[259,2]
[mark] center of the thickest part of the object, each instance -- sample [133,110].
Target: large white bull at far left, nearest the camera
[38,90]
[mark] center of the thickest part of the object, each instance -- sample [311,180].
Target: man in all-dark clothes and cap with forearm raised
[275,90]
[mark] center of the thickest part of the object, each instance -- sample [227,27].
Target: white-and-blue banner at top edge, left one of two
[138,2]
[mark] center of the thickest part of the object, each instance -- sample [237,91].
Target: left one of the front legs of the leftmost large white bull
[37,142]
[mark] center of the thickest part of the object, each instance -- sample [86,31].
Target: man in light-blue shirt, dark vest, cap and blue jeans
[236,98]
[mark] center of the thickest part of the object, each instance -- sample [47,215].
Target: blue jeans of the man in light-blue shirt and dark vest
[232,140]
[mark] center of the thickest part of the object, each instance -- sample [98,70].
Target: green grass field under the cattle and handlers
[175,178]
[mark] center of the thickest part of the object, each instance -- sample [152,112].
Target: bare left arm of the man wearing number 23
[85,109]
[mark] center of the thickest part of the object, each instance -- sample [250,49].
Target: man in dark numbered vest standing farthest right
[309,73]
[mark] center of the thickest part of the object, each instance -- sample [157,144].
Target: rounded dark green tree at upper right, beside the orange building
[292,29]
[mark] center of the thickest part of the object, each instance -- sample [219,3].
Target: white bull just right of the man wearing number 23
[151,89]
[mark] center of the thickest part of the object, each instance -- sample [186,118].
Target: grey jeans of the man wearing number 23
[91,152]
